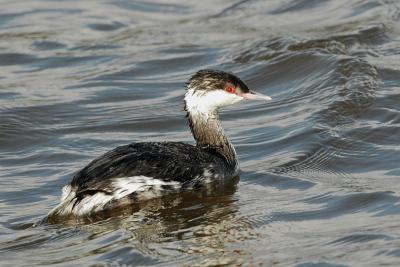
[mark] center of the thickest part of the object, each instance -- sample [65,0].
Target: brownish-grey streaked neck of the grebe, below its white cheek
[208,133]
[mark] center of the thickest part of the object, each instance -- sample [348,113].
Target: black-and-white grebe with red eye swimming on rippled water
[140,171]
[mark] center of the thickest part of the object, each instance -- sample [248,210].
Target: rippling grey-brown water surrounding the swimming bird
[320,163]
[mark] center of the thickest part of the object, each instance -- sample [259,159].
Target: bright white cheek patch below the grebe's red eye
[209,101]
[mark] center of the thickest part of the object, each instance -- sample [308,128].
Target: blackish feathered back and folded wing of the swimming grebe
[169,161]
